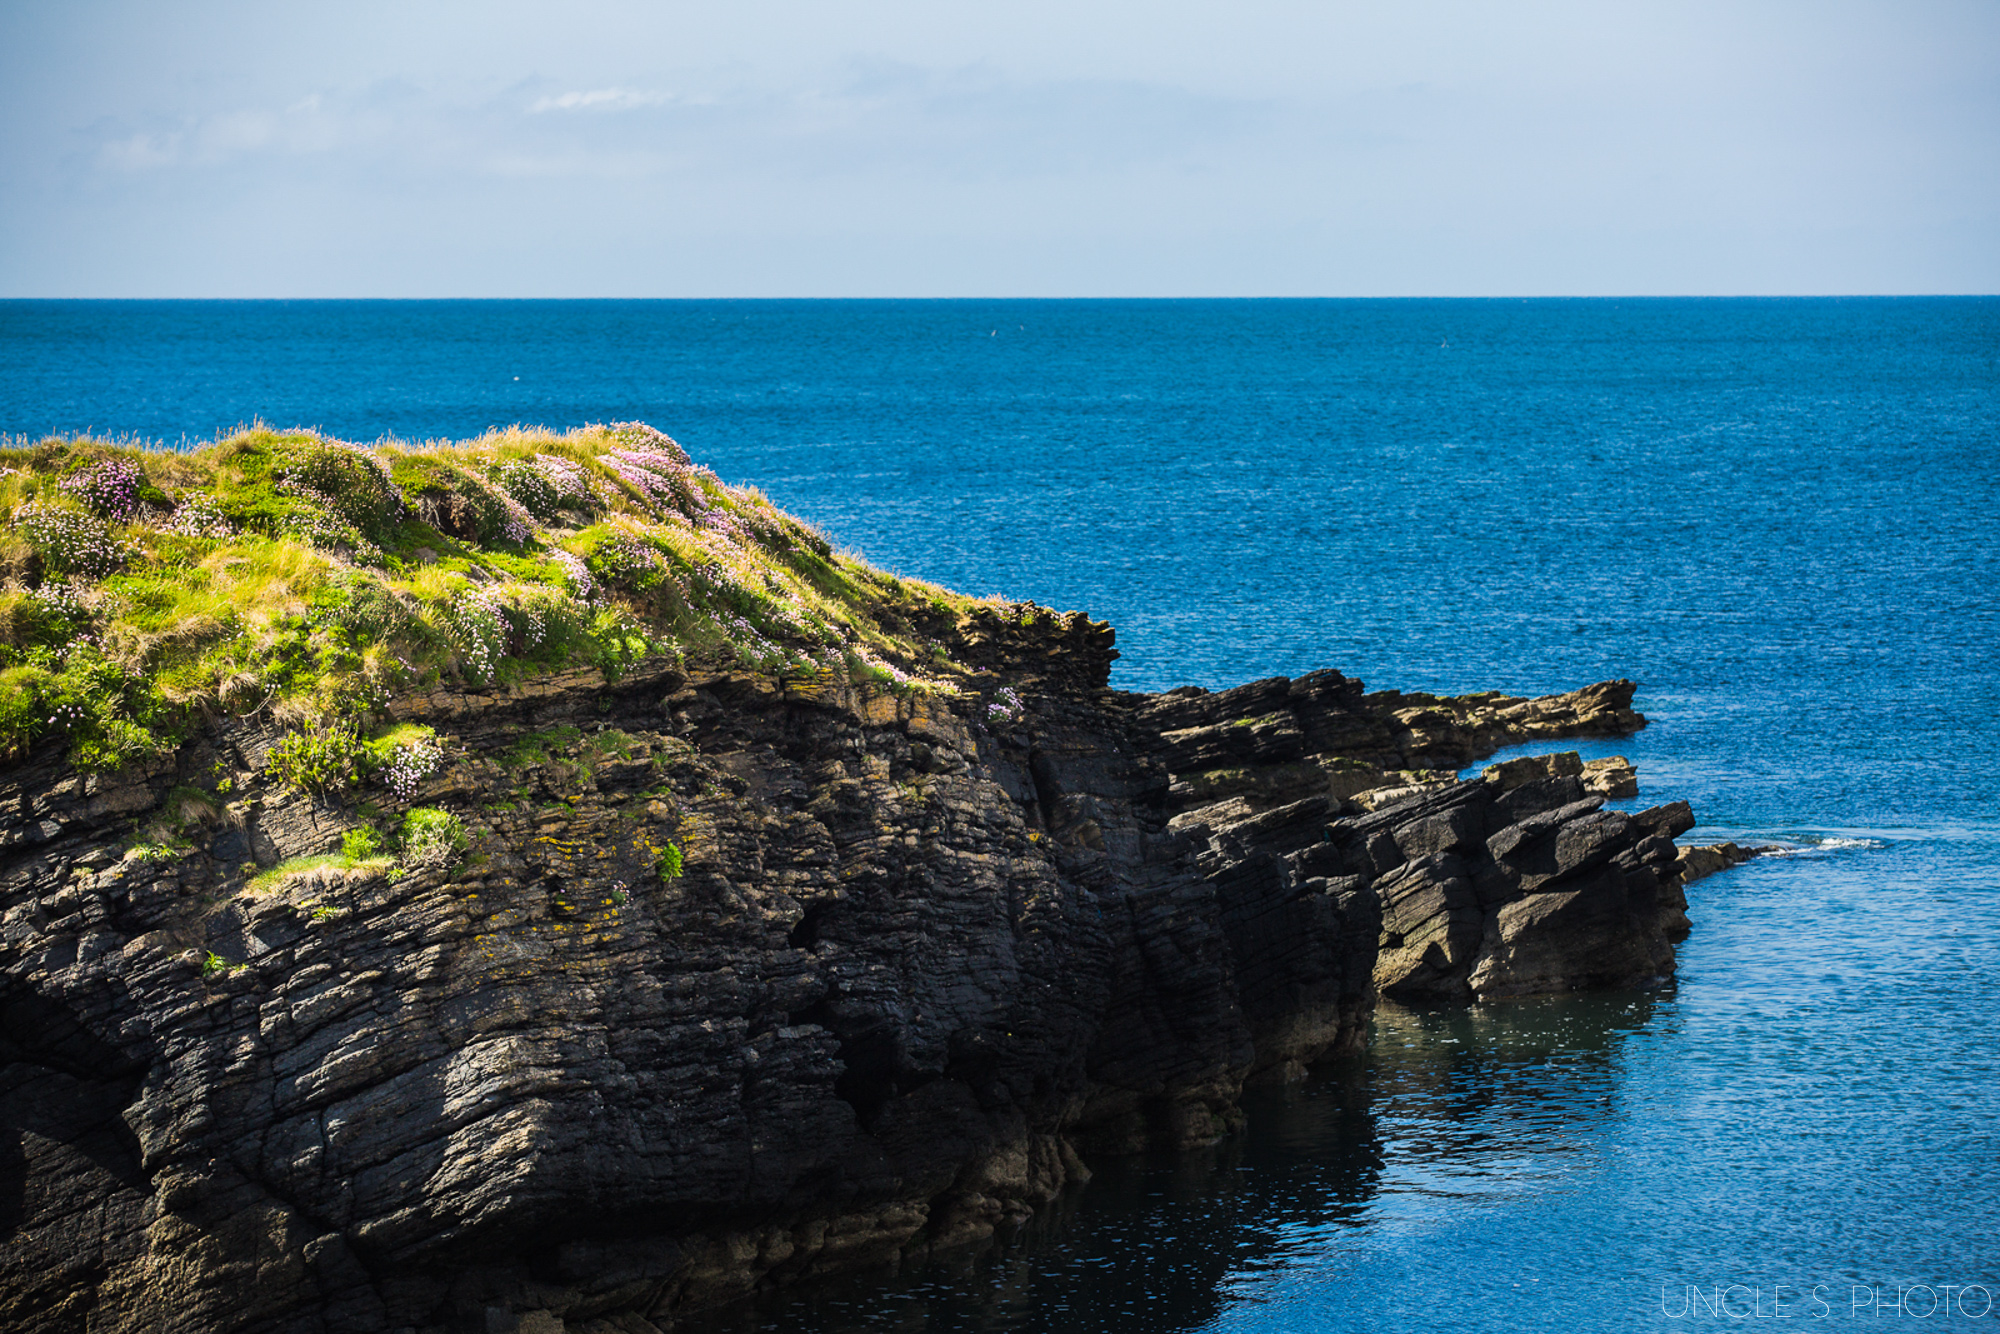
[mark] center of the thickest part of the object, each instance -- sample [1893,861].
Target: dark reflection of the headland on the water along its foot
[1449,1111]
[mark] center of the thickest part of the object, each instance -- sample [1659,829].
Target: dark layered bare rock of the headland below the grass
[923,957]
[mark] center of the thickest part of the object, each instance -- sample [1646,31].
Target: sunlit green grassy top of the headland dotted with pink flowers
[307,581]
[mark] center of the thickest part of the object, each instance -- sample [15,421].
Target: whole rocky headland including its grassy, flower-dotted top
[759,937]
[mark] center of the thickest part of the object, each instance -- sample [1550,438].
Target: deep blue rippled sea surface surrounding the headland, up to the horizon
[1779,517]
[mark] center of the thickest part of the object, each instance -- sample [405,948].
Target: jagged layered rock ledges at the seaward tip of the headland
[1505,887]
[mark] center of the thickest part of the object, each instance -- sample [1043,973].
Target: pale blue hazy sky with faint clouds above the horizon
[1027,149]
